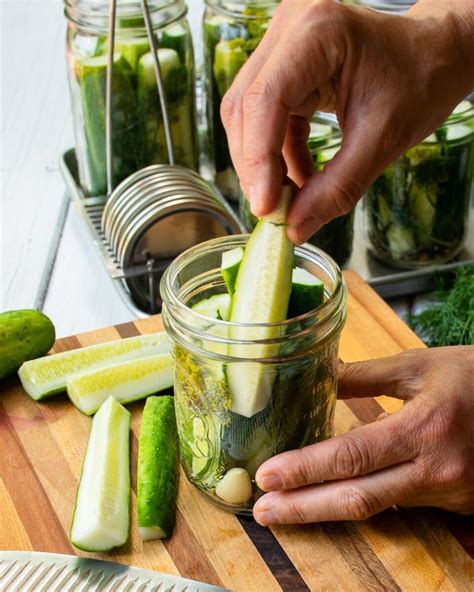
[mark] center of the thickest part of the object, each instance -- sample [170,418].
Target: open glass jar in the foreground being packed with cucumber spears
[221,448]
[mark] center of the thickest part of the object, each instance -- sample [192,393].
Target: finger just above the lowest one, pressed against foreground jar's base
[361,451]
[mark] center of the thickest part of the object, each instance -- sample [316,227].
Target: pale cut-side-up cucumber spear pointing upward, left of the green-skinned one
[101,516]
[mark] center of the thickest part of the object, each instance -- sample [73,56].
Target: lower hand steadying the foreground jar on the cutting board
[422,455]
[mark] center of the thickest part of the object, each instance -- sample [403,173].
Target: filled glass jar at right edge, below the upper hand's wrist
[418,208]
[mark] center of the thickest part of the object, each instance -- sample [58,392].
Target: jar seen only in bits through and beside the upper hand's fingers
[336,236]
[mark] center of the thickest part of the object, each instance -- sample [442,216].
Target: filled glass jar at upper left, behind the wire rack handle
[137,123]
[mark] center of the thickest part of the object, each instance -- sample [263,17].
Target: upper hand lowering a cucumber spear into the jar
[390,79]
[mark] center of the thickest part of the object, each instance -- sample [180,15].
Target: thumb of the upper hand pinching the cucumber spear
[335,191]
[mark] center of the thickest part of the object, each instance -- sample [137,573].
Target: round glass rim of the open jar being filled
[315,318]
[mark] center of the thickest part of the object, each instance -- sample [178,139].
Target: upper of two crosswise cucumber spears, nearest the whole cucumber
[48,375]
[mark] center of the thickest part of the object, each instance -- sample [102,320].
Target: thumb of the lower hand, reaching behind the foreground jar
[396,376]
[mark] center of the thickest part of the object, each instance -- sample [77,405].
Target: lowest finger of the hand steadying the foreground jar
[353,499]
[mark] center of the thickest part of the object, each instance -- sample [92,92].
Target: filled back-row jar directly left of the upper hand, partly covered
[231,31]
